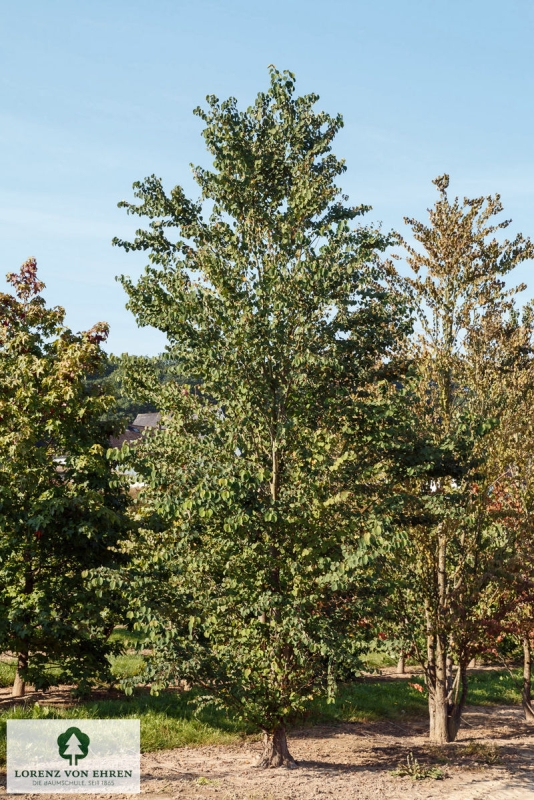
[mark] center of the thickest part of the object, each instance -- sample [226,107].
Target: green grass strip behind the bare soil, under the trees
[169,720]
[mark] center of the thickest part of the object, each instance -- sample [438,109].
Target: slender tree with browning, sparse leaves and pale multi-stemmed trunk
[474,382]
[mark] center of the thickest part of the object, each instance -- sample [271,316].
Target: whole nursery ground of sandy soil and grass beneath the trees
[372,741]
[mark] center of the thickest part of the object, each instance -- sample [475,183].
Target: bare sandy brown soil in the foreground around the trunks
[493,759]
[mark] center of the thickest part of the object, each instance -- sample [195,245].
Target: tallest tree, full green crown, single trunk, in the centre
[265,484]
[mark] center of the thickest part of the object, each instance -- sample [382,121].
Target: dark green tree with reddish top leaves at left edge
[62,503]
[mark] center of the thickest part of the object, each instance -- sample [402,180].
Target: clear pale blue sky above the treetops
[95,95]
